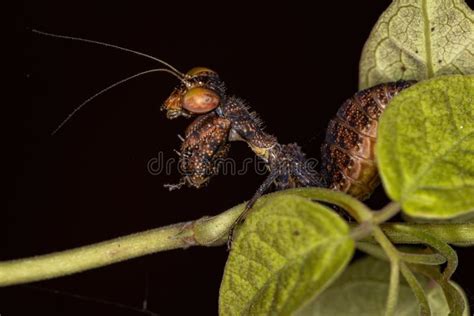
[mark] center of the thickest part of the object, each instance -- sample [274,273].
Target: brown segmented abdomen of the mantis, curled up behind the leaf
[348,152]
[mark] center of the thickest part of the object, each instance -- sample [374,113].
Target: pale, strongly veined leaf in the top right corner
[419,39]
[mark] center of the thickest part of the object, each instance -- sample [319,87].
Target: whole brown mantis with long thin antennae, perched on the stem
[347,154]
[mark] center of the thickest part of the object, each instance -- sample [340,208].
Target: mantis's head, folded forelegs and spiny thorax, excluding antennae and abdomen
[230,120]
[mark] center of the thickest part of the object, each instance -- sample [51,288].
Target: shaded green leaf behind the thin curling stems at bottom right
[362,290]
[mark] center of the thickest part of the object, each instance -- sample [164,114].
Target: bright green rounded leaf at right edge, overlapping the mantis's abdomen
[425,148]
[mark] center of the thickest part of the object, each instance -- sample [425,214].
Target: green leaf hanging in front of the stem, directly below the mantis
[285,253]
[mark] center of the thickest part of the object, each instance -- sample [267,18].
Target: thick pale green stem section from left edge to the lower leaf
[207,231]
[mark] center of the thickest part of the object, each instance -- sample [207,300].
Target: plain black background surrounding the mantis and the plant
[294,64]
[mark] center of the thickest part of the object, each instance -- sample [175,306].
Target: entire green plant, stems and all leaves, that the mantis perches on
[293,254]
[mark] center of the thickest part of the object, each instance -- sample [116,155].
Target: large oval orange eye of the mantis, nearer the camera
[200,100]
